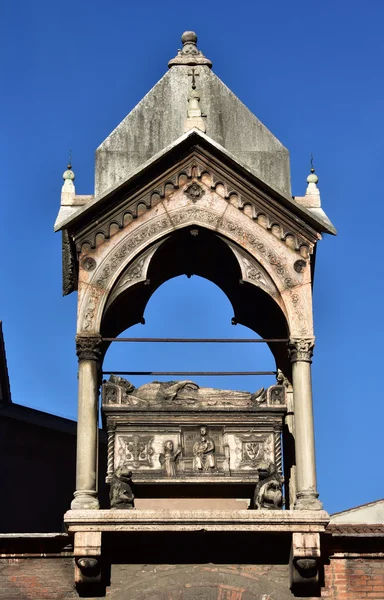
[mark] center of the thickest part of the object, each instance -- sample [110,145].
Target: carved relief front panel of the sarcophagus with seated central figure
[195,451]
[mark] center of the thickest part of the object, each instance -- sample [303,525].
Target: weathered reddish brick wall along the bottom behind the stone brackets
[51,578]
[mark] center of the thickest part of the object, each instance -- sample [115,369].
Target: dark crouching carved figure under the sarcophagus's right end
[268,492]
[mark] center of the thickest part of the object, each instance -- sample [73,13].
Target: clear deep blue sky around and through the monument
[313,74]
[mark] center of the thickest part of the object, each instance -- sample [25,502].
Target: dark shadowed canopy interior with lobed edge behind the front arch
[195,250]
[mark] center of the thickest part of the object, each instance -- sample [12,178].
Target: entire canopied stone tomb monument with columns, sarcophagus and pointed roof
[191,182]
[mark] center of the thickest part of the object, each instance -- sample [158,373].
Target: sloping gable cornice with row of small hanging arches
[202,169]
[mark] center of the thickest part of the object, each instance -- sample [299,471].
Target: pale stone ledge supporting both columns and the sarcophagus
[207,520]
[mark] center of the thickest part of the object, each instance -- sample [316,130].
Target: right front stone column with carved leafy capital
[300,353]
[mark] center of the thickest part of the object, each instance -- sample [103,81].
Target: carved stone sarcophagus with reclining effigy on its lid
[179,433]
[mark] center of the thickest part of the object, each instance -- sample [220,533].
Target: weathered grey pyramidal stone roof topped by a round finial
[159,120]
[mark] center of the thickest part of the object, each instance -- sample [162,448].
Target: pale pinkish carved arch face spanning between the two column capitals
[274,263]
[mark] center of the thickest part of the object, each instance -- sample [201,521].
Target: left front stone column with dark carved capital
[88,350]
